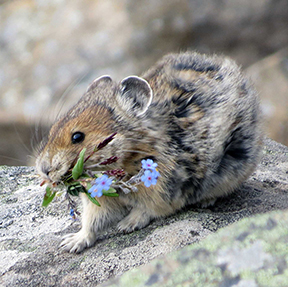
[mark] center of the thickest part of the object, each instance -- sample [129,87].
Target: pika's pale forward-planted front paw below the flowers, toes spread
[77,242]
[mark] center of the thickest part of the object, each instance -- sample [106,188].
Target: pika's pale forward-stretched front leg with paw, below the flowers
[94,219]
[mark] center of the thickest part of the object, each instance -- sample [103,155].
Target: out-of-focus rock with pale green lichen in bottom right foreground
[250,253]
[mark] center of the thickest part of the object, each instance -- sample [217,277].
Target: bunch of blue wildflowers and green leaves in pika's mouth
[106,183]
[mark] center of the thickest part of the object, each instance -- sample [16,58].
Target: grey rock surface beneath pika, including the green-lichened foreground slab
[29,235]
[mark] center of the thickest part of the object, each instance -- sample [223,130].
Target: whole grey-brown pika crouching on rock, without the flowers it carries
[195,115]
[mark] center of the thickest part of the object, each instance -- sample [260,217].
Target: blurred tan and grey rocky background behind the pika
[51,50]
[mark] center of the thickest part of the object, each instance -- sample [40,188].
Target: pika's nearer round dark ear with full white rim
[135,95]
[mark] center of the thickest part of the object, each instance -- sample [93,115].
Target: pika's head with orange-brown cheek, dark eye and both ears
[105,108]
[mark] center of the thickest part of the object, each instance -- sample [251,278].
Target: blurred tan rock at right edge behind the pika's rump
[270,76]
